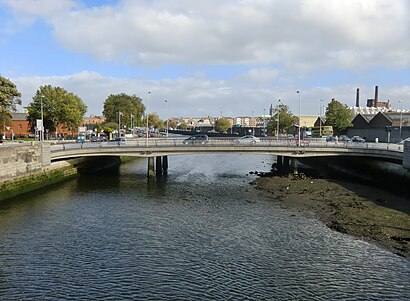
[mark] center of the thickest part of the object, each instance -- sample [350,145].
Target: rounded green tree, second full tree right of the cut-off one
[126,104]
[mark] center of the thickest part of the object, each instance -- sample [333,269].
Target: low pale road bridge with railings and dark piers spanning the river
[161,148]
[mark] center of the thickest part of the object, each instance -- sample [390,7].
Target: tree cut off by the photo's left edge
[9,99]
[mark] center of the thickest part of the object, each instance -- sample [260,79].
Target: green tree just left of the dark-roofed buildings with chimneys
[338,115]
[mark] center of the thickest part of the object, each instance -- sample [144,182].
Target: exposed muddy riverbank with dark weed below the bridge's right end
[370,214]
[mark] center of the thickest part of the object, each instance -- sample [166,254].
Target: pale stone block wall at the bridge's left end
[22,159]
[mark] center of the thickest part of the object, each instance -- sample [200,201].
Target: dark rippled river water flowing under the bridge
[201,233]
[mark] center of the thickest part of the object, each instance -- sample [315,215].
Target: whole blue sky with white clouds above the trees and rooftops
[211,57]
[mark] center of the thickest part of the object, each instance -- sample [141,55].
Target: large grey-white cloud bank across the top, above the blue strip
[301,35]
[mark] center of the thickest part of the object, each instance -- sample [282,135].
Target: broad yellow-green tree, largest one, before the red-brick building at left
[58,106]
